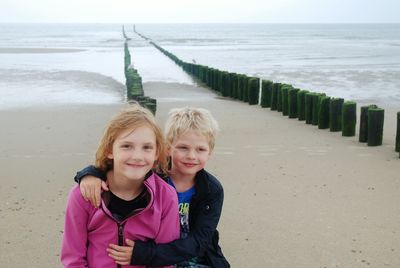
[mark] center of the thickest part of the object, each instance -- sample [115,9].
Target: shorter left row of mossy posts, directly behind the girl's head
[134,84]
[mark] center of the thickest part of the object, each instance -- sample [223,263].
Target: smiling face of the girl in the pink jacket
[134,153]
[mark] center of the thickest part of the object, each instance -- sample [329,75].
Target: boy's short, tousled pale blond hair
[183,119]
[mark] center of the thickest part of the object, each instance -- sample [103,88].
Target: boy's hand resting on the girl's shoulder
[91,187]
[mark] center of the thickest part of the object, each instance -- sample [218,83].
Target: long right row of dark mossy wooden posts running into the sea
[314,108]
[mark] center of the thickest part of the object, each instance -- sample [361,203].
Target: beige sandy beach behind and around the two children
[295,196]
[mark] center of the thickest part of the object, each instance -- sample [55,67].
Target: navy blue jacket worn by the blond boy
[204,213]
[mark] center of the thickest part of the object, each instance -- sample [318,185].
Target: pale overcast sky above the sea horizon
[197,11]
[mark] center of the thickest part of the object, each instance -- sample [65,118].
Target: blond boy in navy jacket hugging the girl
[190,134]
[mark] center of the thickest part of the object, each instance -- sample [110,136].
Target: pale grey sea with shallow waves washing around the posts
[58,64]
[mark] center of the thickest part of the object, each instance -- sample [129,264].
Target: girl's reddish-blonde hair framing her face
[131,117]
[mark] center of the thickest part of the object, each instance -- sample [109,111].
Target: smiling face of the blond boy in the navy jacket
[189,154]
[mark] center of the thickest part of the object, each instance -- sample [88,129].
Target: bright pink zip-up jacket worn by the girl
[88,231]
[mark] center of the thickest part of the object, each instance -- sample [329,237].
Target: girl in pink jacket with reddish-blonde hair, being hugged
[139,206]
